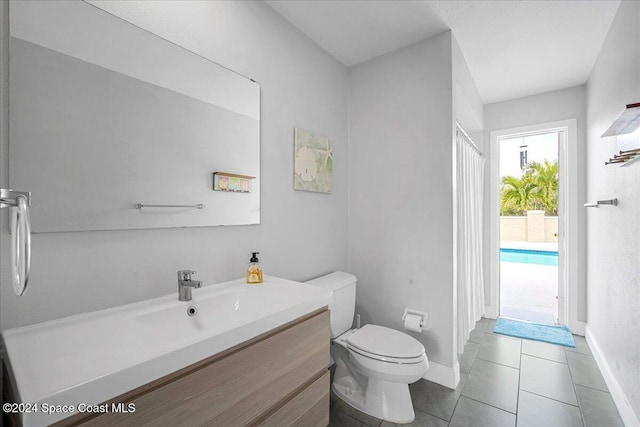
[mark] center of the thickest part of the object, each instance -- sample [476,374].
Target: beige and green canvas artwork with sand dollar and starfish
[313,162]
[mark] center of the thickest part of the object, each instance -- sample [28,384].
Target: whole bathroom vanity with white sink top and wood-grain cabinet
[251,355]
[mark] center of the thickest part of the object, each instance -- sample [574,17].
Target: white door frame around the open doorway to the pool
[567,219]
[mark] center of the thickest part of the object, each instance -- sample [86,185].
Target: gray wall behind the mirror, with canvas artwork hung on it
[301,235]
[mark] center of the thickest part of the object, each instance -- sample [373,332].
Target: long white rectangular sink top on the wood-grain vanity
[93,357]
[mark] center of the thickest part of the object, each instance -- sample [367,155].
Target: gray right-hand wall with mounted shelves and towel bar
[613,242]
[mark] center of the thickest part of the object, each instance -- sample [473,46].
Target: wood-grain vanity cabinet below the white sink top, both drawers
[279,378]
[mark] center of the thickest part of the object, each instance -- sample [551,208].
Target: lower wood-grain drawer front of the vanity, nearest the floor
[309,408]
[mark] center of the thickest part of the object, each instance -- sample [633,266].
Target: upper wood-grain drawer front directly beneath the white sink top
[239,388]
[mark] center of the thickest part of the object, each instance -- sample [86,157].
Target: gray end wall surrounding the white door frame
[531,110]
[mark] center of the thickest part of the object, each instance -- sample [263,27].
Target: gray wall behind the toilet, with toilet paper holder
[400,179]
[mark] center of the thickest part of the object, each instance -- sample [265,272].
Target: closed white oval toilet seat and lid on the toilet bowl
[386,345]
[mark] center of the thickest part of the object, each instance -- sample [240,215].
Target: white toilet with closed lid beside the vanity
[374,364]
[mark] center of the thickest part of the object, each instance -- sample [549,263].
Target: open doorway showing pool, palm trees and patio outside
[529,200]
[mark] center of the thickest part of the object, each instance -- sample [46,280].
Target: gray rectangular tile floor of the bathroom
[508,382]
